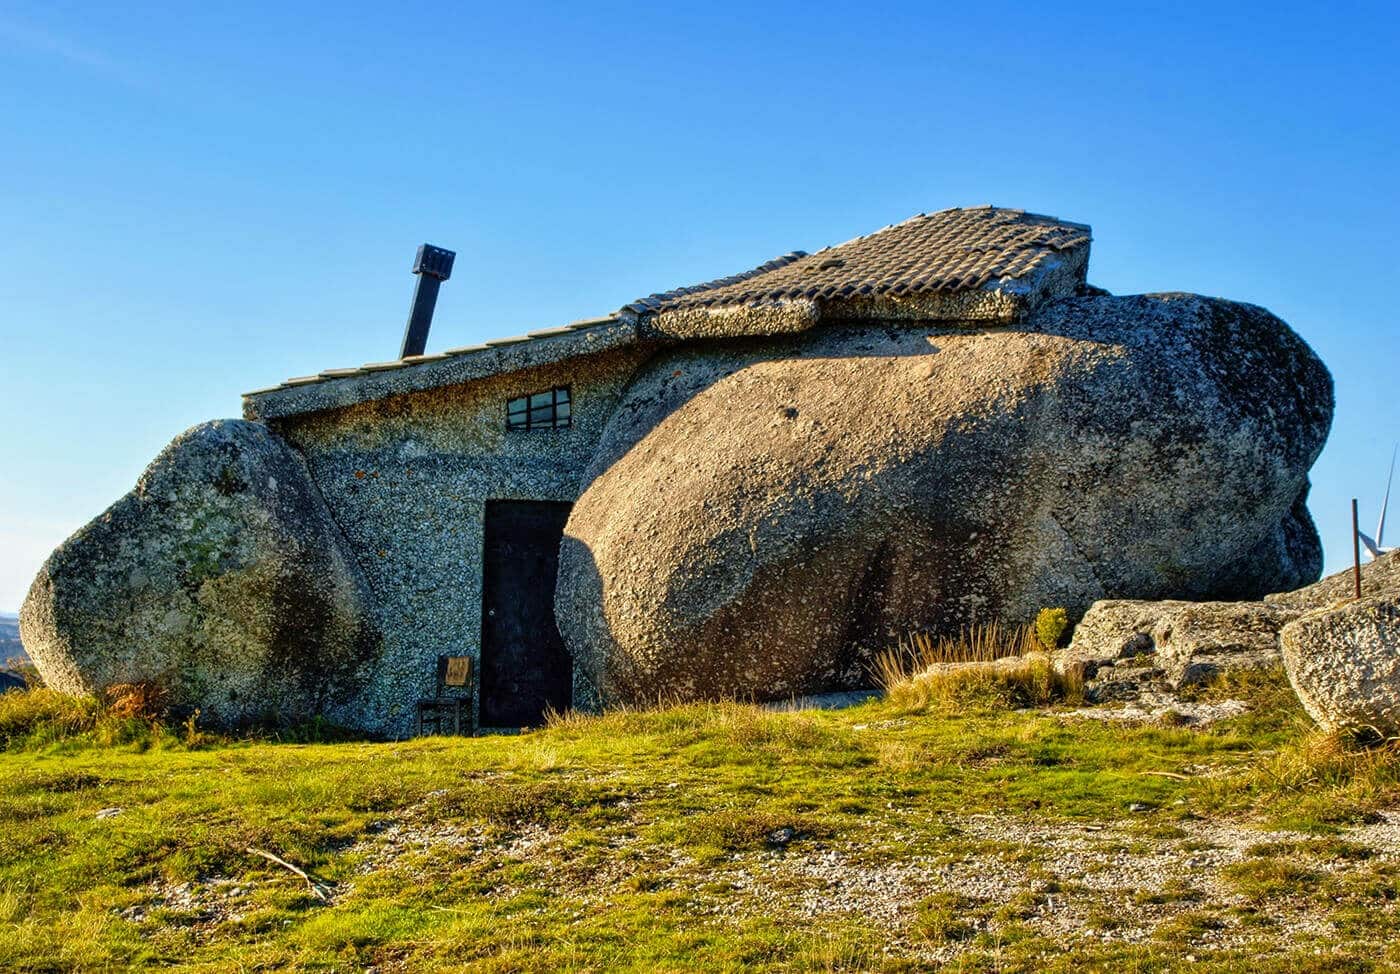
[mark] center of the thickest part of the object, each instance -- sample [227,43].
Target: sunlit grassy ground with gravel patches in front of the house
[716,838]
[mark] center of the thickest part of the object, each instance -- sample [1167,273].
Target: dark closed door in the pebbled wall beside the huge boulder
[524,665]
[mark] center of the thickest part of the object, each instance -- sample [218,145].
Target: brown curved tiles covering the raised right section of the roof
[937,253]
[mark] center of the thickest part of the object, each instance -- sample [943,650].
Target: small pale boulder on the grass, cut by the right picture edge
[1345,665]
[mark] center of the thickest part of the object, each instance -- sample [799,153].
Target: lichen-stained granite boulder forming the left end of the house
[222,577]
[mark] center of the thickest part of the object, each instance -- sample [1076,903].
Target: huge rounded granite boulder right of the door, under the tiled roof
[764,516]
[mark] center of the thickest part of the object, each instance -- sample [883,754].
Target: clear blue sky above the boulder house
[204,199]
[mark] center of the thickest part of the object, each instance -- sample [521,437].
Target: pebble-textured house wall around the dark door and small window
[407,479]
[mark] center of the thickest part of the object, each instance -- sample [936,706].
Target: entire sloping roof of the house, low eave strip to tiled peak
[979,264]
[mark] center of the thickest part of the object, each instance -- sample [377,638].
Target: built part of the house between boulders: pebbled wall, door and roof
[453,474]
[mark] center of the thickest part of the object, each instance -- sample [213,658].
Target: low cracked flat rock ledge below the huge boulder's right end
[1125,649]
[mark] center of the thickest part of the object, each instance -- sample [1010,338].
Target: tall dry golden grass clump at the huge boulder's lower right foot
[989,667]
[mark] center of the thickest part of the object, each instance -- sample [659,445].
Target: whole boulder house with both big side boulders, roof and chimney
[743,489]
